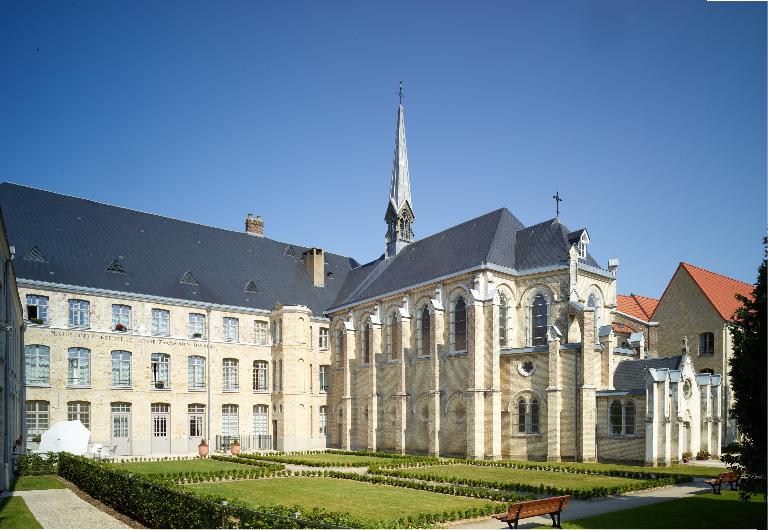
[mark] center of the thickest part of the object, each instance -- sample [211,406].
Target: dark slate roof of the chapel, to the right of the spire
[497,237]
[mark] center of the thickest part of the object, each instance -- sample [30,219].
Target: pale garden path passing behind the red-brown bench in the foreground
[578,509]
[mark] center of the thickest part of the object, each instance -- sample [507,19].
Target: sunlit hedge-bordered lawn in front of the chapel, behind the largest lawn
[519,476]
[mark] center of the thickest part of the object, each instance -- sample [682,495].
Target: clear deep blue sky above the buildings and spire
[648,117]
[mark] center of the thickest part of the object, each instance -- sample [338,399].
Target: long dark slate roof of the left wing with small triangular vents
[74,241]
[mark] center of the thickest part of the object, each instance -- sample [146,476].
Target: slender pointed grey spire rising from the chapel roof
[399,216]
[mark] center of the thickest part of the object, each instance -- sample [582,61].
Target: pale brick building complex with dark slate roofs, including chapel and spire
[488,339]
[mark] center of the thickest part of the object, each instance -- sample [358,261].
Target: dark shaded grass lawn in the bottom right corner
[695,511]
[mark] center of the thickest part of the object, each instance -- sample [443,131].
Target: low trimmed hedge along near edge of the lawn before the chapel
[541,489]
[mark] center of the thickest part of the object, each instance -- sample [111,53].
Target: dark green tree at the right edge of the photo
[748,383]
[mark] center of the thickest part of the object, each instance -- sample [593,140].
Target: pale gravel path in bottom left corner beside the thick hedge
[61,508]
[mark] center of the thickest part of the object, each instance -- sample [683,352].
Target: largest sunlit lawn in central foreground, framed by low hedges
[371,502]
